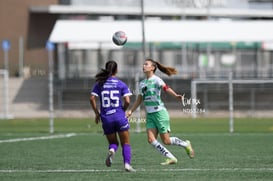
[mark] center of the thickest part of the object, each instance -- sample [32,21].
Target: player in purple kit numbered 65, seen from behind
[114,98]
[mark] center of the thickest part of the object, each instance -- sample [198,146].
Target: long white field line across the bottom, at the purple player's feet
[144,170]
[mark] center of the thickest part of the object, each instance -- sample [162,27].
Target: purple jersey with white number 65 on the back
[110,94]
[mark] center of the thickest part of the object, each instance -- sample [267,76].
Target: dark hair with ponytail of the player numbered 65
[110,69]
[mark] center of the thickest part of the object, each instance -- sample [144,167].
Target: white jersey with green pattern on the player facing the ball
[150,89]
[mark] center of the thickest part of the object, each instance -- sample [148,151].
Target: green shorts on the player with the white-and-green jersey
[159,120]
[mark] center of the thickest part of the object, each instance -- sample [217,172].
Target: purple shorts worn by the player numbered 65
[114,123]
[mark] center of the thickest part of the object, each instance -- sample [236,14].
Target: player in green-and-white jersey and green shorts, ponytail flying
[157,117]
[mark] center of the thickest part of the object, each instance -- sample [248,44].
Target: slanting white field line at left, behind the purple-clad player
[38,138]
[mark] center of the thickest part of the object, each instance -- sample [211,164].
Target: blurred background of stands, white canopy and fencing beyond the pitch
[212,43]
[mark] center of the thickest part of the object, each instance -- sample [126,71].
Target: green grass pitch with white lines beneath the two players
[77,150]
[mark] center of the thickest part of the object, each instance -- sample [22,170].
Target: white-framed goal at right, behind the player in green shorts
[232,94]
